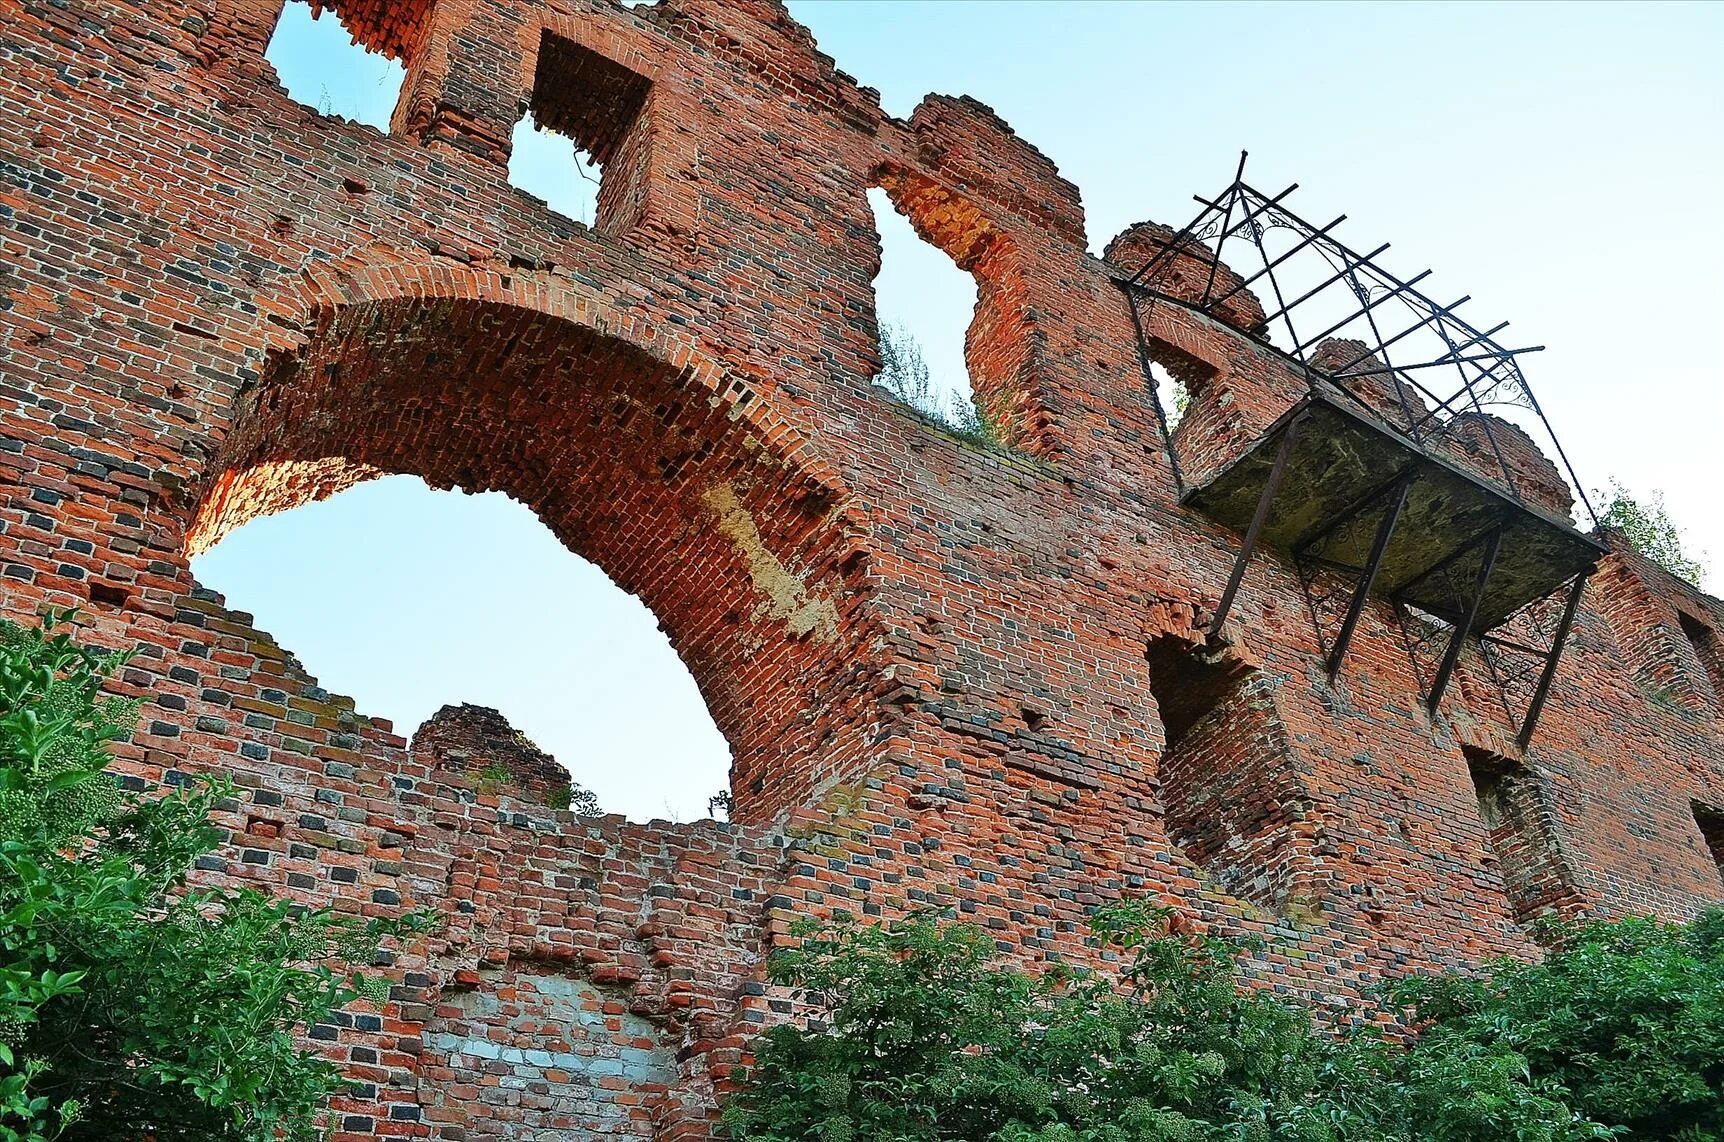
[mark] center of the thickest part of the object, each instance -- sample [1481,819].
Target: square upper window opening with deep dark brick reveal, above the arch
[582,144]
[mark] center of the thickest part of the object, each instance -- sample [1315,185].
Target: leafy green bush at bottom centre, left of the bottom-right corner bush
[925,1039]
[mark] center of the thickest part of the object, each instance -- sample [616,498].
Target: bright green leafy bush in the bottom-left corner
[130,1003]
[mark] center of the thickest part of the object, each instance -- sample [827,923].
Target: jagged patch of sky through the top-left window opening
[323,65]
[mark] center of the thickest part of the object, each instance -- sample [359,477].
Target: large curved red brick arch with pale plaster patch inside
[640,455]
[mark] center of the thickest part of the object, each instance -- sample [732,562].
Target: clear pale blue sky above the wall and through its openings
[1561,163]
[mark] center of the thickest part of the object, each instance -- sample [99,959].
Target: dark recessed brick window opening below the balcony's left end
[1227,781]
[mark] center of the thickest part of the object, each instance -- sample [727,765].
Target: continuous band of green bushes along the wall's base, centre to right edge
[918,1036]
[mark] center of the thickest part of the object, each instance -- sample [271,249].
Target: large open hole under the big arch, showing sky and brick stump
[415,601]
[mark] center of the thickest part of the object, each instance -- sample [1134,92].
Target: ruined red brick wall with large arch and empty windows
[928,656]
